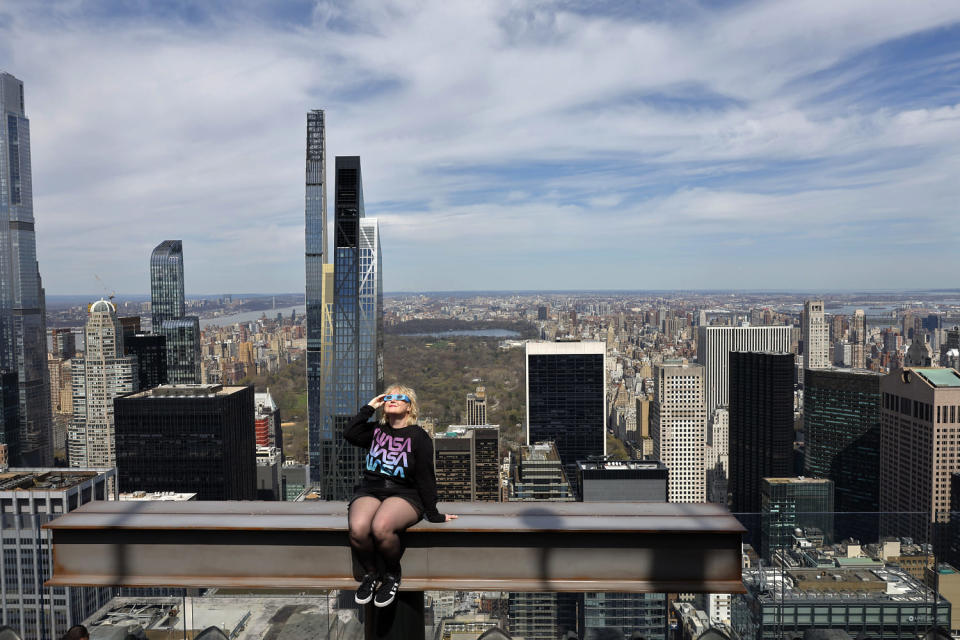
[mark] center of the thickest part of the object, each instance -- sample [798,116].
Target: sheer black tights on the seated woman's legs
[375,529]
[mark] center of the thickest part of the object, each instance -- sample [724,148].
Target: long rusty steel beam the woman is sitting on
[625,547]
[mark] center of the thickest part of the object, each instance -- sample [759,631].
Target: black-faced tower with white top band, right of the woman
[566,391]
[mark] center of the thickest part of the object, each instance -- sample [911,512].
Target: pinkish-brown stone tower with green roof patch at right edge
[919,432]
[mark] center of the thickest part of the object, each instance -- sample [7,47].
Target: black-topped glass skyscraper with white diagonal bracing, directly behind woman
[356,366]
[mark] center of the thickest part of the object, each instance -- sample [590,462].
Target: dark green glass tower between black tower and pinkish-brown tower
[841,418]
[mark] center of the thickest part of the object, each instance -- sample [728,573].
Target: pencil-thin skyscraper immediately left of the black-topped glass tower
[318,274]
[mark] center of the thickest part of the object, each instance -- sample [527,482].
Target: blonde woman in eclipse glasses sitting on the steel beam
[398,488]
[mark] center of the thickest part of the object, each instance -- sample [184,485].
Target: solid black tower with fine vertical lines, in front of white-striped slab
[761,424]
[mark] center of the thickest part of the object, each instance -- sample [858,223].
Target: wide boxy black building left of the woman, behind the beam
[188,439]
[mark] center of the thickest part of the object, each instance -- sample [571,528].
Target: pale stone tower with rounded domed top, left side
[100,376]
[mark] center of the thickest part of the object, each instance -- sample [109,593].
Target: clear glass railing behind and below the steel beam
[856,575]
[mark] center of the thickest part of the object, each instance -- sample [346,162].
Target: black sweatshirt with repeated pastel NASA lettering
[403,456]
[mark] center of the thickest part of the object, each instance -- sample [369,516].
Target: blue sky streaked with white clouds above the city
[504,145]
